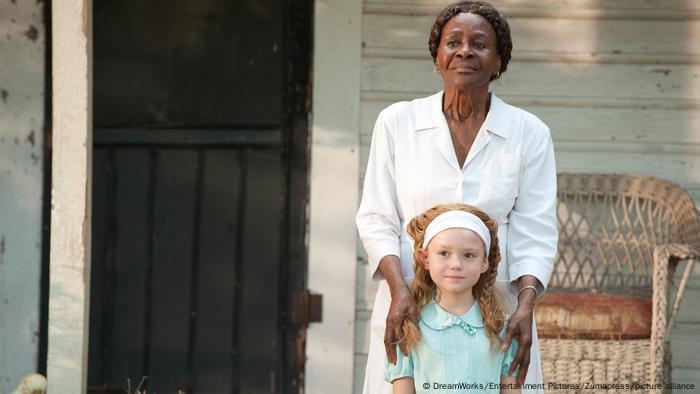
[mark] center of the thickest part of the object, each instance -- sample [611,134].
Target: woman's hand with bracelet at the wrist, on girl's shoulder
[520,328]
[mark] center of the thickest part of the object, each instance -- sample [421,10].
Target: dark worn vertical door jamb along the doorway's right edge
[298,34]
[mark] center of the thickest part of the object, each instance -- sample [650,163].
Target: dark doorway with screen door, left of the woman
[199,194]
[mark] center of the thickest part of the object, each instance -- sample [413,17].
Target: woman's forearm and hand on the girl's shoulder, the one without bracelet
[402,308]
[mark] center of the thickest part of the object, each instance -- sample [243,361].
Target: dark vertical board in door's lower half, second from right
[213,340]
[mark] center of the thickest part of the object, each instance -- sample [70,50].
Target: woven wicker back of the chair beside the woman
[608,227]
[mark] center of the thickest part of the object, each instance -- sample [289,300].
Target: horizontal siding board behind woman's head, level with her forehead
[553,36]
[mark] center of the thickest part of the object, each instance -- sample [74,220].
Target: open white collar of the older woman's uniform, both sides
[496,121]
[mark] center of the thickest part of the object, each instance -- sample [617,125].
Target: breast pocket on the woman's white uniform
[504,182]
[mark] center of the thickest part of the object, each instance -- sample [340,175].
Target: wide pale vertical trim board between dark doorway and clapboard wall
[334,176]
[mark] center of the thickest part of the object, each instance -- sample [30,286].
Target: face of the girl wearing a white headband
[455,259]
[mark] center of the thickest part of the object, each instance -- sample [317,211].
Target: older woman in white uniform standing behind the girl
[461,145]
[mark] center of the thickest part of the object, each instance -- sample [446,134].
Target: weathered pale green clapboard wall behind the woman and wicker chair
[617,82]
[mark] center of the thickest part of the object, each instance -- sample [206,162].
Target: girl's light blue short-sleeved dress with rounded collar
[454,355]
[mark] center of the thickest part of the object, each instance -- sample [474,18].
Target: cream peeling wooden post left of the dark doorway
[69,288]
